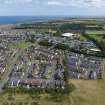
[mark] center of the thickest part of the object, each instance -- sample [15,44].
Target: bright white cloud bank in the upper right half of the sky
[79,3]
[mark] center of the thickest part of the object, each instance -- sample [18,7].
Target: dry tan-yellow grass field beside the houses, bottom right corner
[88,92]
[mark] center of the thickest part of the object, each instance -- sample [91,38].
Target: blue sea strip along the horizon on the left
[19,19]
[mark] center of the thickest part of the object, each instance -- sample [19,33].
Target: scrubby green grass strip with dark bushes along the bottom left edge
[16,99]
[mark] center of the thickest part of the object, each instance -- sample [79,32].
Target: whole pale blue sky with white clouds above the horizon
[52,7]
